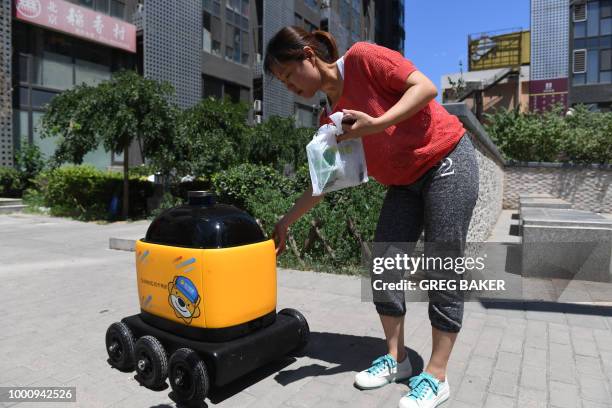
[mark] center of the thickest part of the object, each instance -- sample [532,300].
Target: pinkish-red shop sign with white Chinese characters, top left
[79,21]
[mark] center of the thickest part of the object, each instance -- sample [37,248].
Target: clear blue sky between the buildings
[437,30]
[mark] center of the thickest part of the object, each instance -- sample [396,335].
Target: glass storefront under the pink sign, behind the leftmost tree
[57,45]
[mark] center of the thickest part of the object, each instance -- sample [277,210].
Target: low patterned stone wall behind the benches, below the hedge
[586,187]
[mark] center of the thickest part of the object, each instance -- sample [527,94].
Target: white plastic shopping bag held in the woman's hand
[334,166]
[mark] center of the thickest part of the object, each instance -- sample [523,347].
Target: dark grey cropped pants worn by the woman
[441,203]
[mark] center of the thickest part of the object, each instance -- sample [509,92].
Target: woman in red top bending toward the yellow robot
[417,149]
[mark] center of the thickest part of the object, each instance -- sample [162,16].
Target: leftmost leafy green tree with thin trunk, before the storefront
[116,113]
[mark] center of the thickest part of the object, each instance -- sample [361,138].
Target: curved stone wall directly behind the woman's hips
[491,174]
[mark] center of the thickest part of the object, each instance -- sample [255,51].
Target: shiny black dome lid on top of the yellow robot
[204,224]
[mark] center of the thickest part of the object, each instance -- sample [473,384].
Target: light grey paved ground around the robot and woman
[61,288]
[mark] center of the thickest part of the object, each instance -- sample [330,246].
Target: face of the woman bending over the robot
[300,77]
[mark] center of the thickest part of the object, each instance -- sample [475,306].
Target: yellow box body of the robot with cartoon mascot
[207,288]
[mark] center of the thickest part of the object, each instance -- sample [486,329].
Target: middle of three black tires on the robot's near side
[148,347]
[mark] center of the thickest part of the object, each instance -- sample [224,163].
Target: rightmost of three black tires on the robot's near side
[198,380]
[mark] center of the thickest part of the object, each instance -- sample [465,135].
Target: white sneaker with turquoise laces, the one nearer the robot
[384,370]
